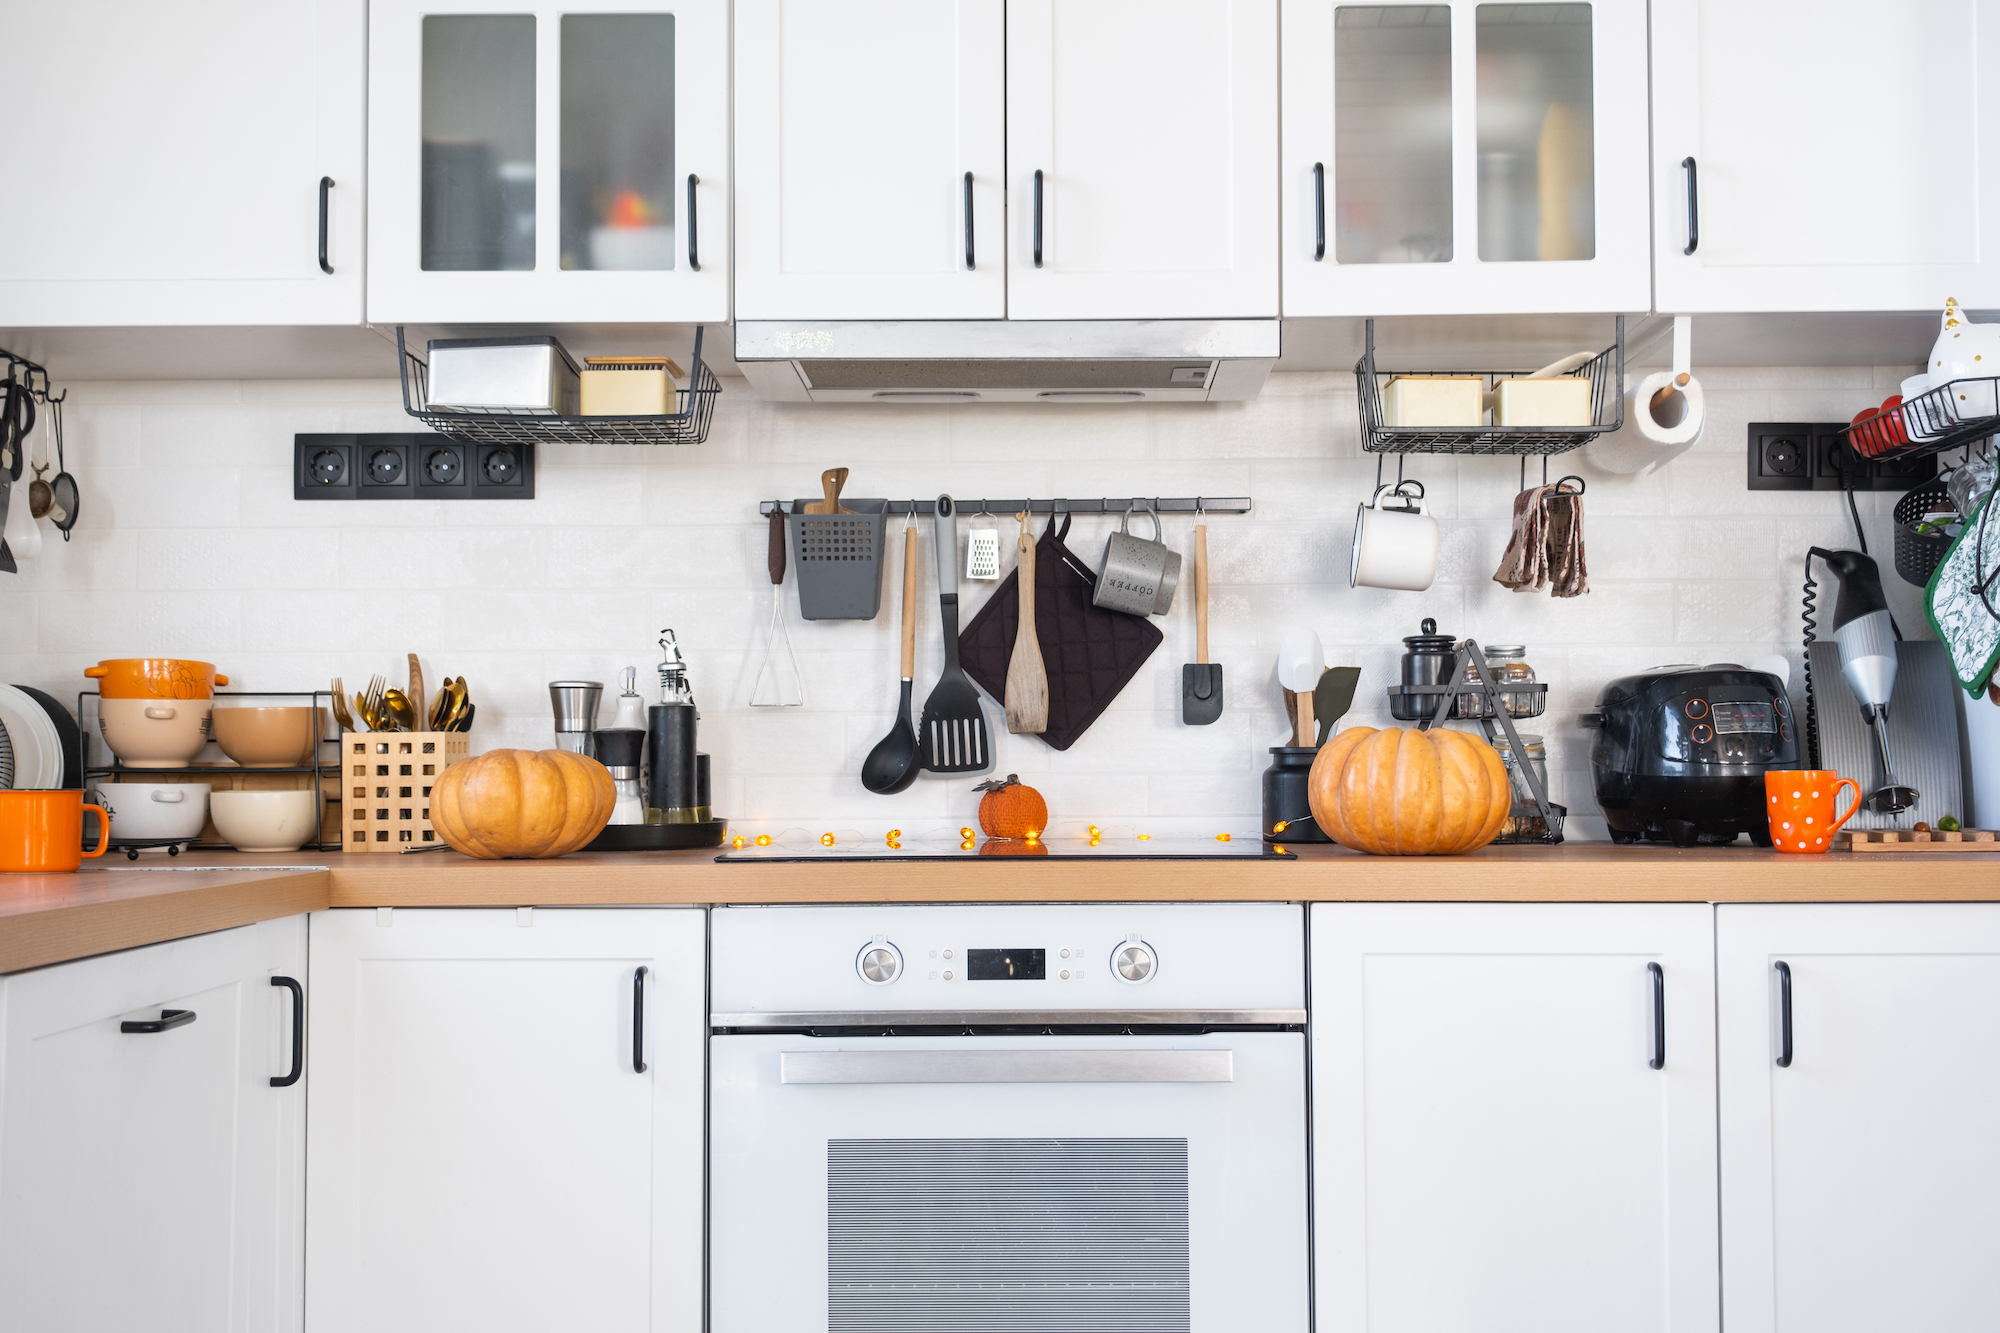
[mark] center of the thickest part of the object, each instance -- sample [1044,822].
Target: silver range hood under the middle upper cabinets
[1007,361]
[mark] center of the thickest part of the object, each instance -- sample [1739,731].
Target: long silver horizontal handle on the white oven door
[1007,1068]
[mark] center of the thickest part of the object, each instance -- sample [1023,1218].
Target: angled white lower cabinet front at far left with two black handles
[151,1174]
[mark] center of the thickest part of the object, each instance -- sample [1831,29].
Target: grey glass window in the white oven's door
[1003,1236]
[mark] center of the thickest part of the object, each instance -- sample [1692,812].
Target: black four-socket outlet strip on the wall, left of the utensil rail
[409,467]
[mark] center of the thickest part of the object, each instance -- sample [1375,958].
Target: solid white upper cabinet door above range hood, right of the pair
[1143,153]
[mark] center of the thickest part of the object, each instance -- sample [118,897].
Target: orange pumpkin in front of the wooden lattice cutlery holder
[523,804]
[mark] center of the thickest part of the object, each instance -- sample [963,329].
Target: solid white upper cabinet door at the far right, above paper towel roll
[1839,153]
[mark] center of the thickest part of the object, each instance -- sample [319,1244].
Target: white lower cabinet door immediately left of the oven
[507,1120]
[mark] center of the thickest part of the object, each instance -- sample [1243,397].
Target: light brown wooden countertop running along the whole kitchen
[55,918]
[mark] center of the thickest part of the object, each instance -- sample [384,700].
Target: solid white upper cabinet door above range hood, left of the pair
[871,159]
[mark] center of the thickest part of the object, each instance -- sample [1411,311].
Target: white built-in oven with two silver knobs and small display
[953,1120]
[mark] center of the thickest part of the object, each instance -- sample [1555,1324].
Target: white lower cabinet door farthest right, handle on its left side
[1861,1178]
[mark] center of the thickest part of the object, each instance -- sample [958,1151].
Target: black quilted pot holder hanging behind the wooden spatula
[1087,651]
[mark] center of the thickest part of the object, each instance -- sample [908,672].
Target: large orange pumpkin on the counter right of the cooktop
[1409,794]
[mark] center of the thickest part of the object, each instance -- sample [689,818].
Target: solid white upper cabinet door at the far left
[169,163]
